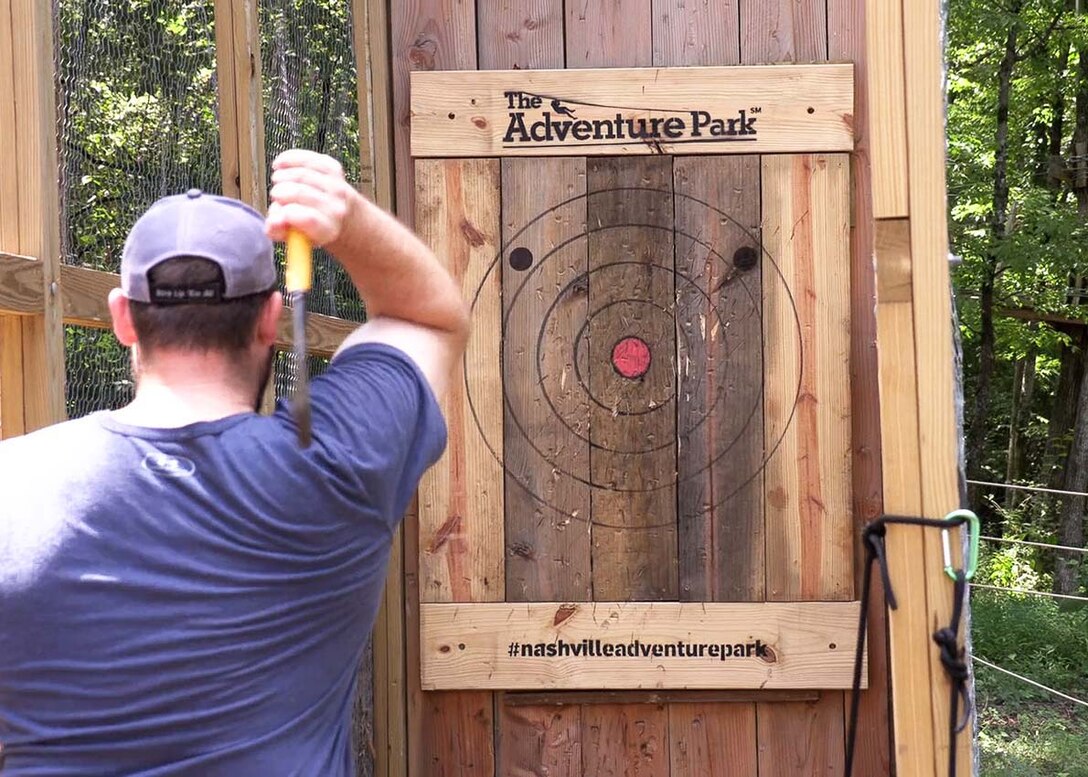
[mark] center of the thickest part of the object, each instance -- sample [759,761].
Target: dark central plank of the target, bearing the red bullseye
[633,416]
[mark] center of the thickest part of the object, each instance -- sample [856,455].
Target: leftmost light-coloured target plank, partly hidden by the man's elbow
[461,522]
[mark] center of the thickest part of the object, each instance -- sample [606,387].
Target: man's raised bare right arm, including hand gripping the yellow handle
[413,304]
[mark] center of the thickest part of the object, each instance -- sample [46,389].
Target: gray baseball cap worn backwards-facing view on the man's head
[197,225]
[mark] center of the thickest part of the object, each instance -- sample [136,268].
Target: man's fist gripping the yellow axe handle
[310,194]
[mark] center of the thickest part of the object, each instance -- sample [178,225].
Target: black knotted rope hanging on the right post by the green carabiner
[954,658]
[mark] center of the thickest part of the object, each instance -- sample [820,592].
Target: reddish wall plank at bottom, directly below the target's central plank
[625,739]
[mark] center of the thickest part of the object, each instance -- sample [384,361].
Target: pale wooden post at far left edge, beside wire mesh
[32,348]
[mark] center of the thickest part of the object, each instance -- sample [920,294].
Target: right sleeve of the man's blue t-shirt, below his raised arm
[377,424]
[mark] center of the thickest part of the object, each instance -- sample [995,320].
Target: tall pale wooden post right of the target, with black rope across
[917,383]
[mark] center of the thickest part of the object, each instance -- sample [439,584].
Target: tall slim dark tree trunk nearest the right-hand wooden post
[981,420]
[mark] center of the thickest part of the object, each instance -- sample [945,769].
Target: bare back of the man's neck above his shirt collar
[183,389]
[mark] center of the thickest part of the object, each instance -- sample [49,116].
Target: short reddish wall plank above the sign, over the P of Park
[700,33]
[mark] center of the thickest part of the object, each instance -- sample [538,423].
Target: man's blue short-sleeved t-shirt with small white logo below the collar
[196,601]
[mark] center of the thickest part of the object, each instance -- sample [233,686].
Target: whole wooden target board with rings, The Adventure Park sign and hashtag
[648,483]
